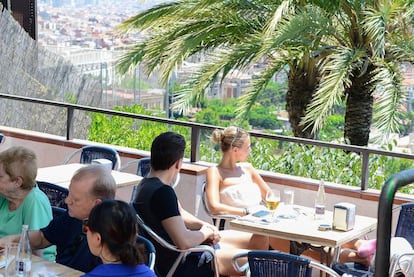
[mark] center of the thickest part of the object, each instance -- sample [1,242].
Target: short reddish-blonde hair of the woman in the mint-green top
[19,161]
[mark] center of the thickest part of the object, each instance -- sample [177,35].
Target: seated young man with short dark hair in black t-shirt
[157,204]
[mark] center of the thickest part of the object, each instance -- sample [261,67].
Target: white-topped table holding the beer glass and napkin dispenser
[304,229]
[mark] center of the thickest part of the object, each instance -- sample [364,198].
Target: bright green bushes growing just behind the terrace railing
[275,156]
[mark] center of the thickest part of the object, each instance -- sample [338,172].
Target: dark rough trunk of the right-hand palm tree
[359,107]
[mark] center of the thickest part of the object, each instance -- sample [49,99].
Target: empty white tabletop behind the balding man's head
[62,174]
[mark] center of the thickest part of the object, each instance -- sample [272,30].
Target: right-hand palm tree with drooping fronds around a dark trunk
[372,39]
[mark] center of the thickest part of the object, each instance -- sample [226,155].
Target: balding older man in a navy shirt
[89,186]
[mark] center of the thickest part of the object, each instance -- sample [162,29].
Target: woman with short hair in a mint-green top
[21,201]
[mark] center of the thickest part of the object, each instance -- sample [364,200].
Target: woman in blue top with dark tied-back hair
[111,232]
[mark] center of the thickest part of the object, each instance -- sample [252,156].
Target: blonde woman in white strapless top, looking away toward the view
[235,187]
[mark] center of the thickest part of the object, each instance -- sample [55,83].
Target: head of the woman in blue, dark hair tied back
[111,231]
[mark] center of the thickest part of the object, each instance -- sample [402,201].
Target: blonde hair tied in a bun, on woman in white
[229,137]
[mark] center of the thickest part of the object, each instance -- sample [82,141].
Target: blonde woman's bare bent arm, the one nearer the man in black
[213,195]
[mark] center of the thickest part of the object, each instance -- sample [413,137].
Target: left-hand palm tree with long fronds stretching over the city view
[230,35]
